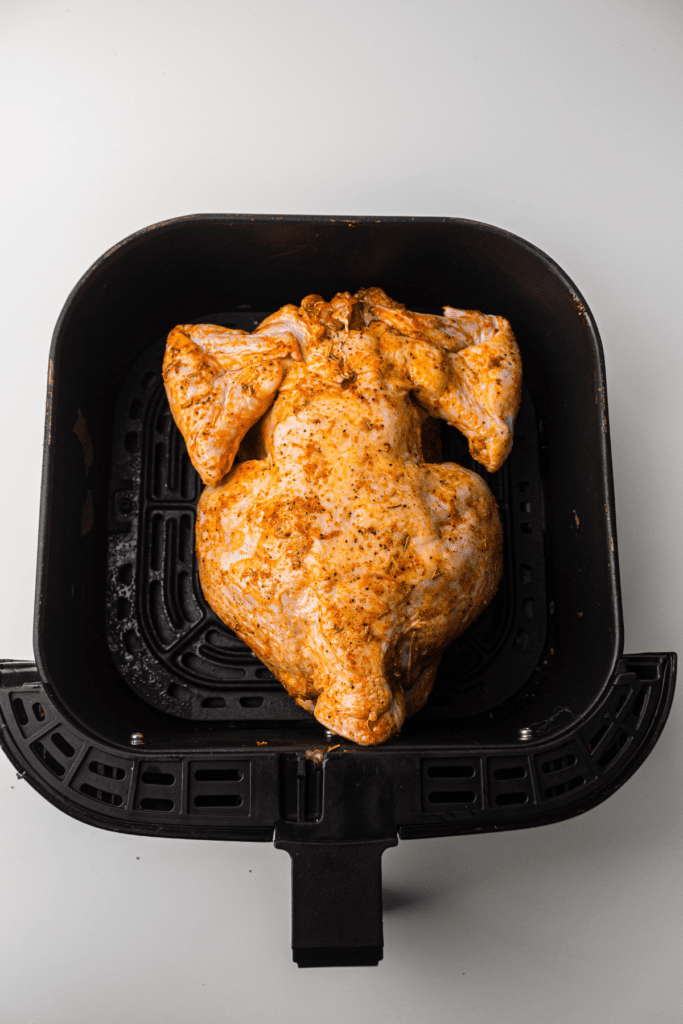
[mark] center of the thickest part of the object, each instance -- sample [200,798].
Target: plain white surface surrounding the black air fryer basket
[559,121]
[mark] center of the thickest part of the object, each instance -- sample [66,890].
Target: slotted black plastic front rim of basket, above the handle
[247,792]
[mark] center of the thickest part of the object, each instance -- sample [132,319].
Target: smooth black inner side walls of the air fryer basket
[176,274]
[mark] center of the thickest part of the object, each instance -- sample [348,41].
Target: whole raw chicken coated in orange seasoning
[343,558]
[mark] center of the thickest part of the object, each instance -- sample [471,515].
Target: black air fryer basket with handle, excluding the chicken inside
[146,714]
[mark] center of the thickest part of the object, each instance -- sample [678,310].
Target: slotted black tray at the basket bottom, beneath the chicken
[174,651]
